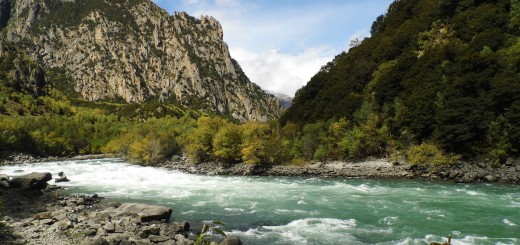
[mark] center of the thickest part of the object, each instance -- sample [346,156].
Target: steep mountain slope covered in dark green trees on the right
[439,71]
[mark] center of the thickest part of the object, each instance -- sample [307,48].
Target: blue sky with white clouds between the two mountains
[281,44]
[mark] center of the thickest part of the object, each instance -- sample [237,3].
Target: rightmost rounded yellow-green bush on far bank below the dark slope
[428,154]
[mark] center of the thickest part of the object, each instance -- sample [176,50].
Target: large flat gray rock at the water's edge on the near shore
[144,212]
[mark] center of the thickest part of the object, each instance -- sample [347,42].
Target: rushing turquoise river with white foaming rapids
[290,210]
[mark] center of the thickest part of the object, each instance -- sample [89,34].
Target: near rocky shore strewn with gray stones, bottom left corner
[36,213]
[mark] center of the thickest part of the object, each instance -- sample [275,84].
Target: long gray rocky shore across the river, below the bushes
[462,172]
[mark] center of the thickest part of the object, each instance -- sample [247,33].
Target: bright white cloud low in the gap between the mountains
[282,72]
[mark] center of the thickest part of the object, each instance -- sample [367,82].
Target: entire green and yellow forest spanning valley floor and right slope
[438,81]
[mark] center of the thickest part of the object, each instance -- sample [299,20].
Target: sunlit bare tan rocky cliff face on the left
[132,49]
